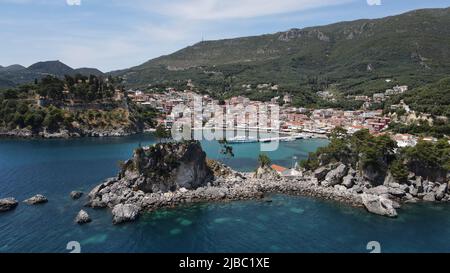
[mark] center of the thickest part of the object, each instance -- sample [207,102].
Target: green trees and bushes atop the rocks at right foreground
[365,151]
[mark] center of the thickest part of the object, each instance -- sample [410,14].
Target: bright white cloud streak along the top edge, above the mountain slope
[232,9]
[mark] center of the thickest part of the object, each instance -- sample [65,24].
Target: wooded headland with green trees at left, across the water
[75,103]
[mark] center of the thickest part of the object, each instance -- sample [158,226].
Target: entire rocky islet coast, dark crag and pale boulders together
[142,187]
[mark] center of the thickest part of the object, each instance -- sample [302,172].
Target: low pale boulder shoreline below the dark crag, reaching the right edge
[114,193]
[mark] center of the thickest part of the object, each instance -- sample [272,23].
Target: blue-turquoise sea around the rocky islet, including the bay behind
[288,224]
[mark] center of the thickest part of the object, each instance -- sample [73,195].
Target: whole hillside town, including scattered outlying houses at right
[294,121]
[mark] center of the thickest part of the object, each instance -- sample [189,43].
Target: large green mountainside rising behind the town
[352,57]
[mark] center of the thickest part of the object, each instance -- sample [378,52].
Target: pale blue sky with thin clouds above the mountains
[118,34]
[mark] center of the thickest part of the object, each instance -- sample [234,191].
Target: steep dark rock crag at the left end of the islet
[168,167]
